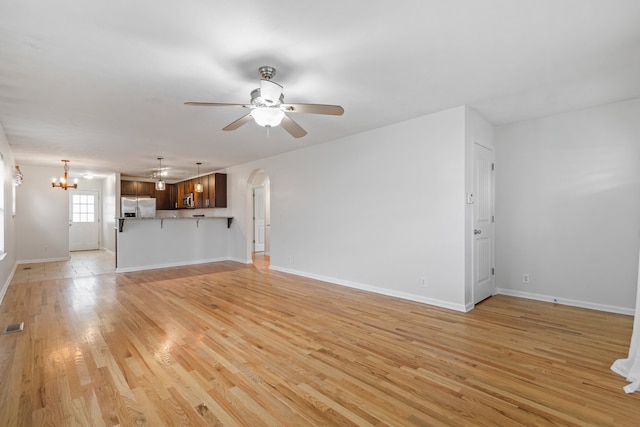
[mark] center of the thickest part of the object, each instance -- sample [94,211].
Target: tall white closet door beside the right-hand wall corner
[483,224]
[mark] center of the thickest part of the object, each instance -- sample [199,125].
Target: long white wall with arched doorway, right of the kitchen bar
[377,210]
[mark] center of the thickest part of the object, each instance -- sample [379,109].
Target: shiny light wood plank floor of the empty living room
[230,344]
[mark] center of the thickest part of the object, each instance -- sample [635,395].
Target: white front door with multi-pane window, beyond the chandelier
[83,220]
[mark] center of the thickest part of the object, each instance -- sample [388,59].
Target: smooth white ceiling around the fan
[103,83]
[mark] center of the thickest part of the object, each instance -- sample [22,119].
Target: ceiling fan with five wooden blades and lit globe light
[268,108]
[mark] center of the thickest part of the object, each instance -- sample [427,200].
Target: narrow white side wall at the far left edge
[8,263]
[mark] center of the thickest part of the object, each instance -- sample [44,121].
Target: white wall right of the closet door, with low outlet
[568,207]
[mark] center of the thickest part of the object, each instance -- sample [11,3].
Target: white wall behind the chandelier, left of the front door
[42,216]
